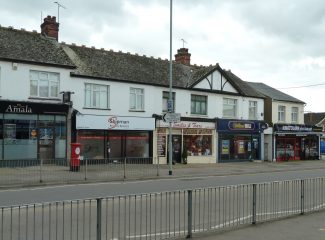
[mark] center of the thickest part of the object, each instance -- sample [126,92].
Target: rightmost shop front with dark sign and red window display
[296,142]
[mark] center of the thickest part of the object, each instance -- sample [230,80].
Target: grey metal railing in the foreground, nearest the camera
[164,215]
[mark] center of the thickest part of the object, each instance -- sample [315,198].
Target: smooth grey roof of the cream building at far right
[273,93]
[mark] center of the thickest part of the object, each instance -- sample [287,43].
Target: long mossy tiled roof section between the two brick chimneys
[127,67]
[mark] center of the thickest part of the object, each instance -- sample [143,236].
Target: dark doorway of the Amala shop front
[45,144]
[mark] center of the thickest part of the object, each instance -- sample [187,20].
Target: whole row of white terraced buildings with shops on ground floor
[54,94]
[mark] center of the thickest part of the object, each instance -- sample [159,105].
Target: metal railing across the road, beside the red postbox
[29,172]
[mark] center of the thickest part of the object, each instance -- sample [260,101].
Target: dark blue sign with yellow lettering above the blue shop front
[241,125]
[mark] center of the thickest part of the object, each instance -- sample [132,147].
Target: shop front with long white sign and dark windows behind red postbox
[115,138]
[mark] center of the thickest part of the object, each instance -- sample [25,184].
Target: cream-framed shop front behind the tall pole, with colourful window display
[192,142]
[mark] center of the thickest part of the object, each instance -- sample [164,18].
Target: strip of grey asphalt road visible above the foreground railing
[82,191]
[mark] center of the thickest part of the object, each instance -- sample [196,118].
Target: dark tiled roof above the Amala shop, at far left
[32,47]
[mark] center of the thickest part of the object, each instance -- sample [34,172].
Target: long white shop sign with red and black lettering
[114,122]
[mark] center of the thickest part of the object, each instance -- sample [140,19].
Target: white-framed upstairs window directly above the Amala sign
[44,84]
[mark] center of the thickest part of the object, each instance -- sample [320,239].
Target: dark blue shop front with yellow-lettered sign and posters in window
[240,140]
